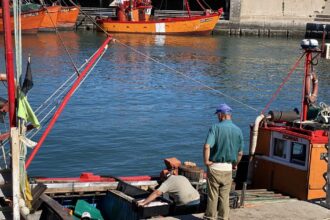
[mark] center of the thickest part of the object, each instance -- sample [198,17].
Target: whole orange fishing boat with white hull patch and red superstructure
[135,17]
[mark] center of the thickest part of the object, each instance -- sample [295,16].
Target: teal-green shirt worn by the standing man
[225,140]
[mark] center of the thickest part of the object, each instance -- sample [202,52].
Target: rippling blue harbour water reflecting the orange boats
[133,112]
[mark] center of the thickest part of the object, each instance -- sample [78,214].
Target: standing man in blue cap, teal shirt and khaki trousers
[223,150]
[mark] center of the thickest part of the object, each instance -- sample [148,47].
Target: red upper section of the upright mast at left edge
[9,62]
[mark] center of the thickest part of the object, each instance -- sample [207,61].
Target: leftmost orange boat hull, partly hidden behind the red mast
[30,21]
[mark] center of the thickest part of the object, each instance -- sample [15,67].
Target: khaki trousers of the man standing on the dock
[218,186]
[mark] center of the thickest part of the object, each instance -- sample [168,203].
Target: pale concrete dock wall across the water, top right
[271,17]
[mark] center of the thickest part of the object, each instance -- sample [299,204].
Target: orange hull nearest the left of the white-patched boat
[67,17]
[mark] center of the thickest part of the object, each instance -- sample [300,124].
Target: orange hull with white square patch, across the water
[193,25]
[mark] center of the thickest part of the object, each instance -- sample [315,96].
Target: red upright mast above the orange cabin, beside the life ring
[308,62]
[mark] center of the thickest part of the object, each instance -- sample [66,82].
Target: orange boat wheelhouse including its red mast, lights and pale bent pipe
[290,150]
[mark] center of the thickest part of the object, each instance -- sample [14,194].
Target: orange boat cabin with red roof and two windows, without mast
[291,161]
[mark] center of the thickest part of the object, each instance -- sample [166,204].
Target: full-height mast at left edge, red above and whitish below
[14,144]
